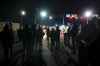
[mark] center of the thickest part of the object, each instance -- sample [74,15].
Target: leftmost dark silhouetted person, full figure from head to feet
[7,40]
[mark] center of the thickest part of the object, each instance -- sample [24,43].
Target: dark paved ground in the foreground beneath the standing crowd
[46,57]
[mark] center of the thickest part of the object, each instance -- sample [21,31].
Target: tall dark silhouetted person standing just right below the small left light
[27,40]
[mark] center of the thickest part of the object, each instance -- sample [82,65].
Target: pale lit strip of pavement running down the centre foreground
[47,55]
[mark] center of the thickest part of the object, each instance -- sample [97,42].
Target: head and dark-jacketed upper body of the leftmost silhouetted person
[7,36]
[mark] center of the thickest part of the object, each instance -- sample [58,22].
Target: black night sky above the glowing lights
[13,7]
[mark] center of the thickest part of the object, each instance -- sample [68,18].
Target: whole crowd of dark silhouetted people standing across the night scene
[32,35]
